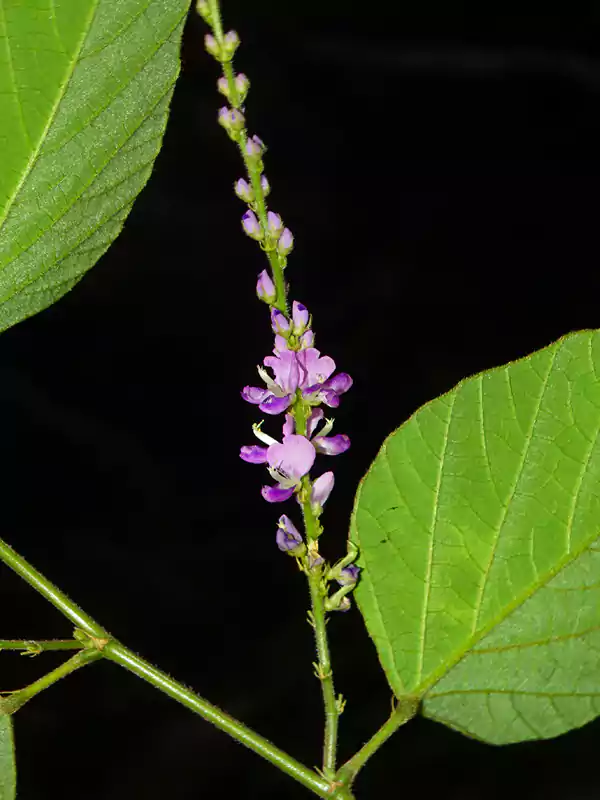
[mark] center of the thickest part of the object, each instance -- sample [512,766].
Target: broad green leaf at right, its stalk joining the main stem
[479,530]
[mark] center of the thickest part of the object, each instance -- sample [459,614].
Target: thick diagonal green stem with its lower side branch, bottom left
[109,648]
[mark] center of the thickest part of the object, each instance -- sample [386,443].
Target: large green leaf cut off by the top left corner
[85,87]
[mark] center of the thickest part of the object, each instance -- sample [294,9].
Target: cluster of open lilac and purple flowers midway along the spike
[301,378]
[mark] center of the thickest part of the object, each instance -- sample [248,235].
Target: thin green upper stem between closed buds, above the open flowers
[276,261]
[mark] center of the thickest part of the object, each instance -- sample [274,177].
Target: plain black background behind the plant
[438,165]
